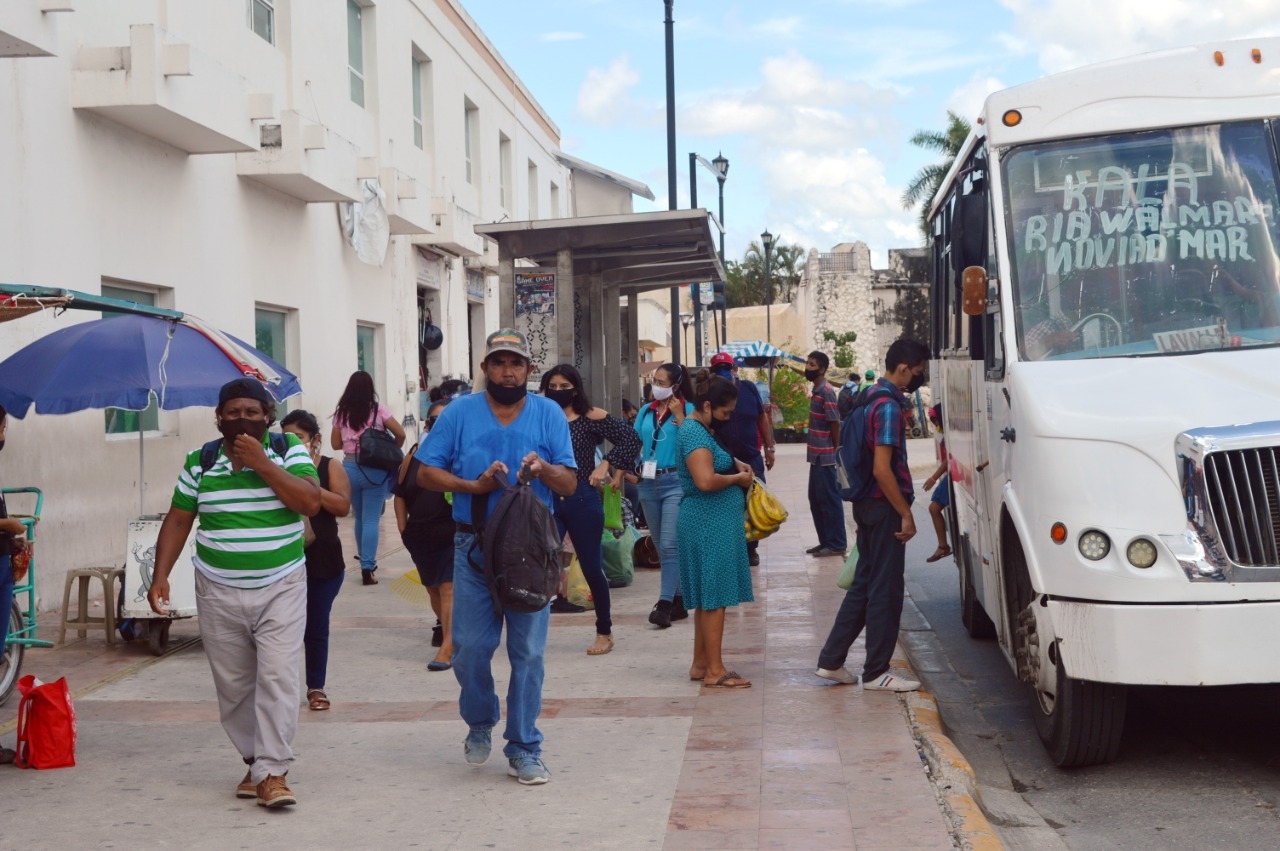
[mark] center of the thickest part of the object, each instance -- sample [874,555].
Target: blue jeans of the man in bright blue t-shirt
[477,633]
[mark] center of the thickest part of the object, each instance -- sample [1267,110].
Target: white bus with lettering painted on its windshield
[1107,319]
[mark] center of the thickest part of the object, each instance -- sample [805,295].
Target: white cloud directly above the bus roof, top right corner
[1069,34]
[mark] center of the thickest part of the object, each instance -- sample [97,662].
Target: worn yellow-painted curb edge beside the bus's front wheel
[953,776]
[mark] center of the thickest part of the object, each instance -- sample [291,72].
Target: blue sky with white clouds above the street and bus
[812,102]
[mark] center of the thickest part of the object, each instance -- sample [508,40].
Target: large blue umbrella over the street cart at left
[120,363]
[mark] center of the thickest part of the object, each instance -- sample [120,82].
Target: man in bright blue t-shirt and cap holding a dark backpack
[477,436]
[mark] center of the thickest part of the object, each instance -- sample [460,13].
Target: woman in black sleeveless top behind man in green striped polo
[326,570]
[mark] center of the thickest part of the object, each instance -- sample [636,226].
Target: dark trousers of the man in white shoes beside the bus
[875,601]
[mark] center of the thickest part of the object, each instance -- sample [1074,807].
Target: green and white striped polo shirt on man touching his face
[248,538]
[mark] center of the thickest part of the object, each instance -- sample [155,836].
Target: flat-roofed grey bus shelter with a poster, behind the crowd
[569,300]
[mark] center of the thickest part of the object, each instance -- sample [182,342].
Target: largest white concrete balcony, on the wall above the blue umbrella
[170,91]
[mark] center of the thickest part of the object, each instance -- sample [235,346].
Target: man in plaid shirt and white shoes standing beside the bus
[883,495]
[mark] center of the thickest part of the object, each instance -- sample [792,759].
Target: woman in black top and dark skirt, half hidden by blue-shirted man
[426,521]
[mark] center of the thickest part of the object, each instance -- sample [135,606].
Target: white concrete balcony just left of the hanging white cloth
[307,161]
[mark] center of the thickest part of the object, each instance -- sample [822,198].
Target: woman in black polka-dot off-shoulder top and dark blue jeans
[583,513]
